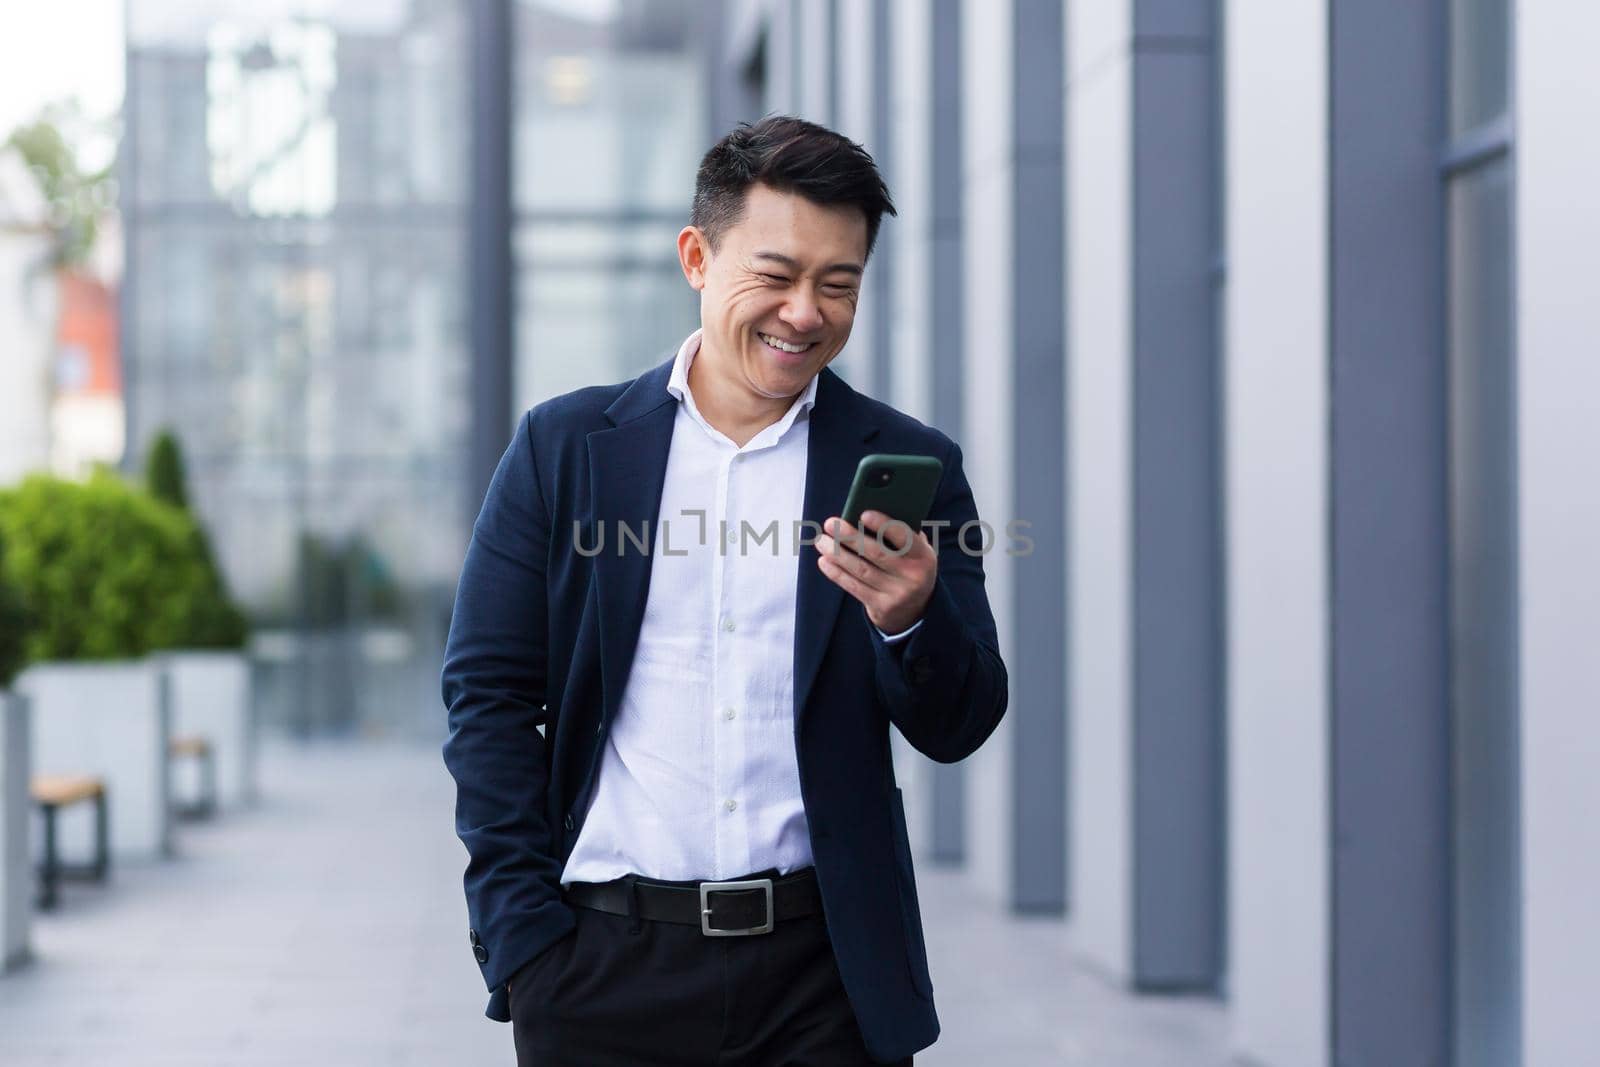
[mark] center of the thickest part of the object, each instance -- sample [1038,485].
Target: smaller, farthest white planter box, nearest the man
[212,697]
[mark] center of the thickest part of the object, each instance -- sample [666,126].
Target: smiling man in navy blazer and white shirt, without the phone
[660,580]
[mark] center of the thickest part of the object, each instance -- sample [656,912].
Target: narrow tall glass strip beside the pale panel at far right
[1486,753]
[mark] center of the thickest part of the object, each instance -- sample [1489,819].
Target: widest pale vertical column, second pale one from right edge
[1276,455]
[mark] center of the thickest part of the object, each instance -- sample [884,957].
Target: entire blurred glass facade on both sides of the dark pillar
[297,202]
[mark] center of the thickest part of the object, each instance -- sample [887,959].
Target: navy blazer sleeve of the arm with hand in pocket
[495,692]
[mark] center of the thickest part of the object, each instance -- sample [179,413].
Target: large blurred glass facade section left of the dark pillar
[297,246]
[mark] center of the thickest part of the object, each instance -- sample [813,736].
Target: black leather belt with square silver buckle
[721,909]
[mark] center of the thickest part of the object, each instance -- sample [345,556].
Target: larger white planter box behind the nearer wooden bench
[111,721]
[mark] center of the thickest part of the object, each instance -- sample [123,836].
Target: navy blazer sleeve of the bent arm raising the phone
[945,685]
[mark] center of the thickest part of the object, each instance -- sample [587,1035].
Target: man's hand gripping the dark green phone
[882,565]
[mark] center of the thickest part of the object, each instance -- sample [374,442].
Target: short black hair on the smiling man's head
[791,156]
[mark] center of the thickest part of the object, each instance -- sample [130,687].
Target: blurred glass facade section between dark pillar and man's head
[610,122]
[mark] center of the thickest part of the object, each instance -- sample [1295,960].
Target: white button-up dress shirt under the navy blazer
[698,778]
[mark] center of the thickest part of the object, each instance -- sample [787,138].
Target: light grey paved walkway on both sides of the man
[327,927]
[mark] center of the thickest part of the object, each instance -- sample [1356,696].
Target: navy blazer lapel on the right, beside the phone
[839,438]
